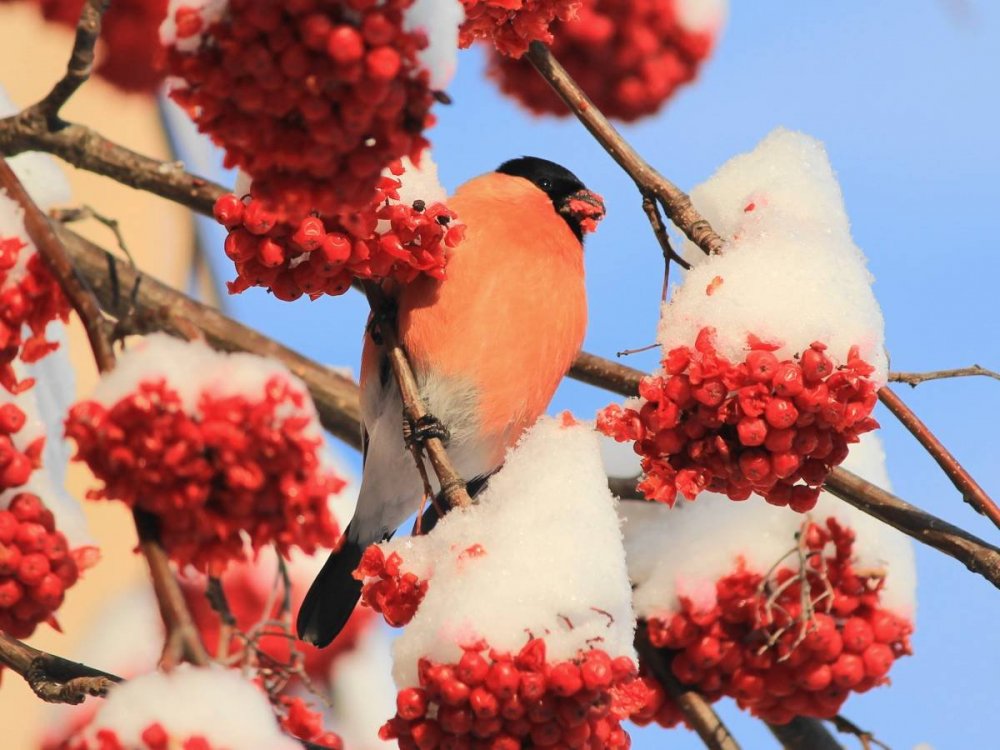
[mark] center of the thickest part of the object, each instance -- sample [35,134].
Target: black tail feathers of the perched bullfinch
[332,597]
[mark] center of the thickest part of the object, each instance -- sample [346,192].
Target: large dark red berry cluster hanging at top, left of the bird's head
[313,98]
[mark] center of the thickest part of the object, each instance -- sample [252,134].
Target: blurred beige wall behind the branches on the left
[33,56]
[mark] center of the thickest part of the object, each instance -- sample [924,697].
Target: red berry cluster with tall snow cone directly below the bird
[466,677]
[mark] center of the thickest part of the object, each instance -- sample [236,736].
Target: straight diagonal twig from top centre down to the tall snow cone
[675,202]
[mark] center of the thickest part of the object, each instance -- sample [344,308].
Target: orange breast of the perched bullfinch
[512,313]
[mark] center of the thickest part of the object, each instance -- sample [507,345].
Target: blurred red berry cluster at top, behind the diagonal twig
[629,57]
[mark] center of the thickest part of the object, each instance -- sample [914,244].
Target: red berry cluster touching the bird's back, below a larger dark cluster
[322,254]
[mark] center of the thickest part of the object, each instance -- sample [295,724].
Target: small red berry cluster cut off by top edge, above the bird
[511,25]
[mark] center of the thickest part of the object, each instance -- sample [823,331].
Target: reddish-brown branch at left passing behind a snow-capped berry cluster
[182,636]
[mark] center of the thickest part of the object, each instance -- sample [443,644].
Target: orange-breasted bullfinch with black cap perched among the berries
[488,346]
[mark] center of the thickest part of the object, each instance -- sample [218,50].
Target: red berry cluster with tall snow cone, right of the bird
[773,348]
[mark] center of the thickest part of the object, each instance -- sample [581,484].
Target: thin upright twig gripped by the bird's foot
[452,485]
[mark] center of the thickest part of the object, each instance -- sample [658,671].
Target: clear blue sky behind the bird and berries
[904,94]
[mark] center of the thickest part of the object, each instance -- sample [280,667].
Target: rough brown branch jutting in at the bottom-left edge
[52,678]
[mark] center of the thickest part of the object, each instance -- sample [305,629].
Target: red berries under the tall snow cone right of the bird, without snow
[772,427]
